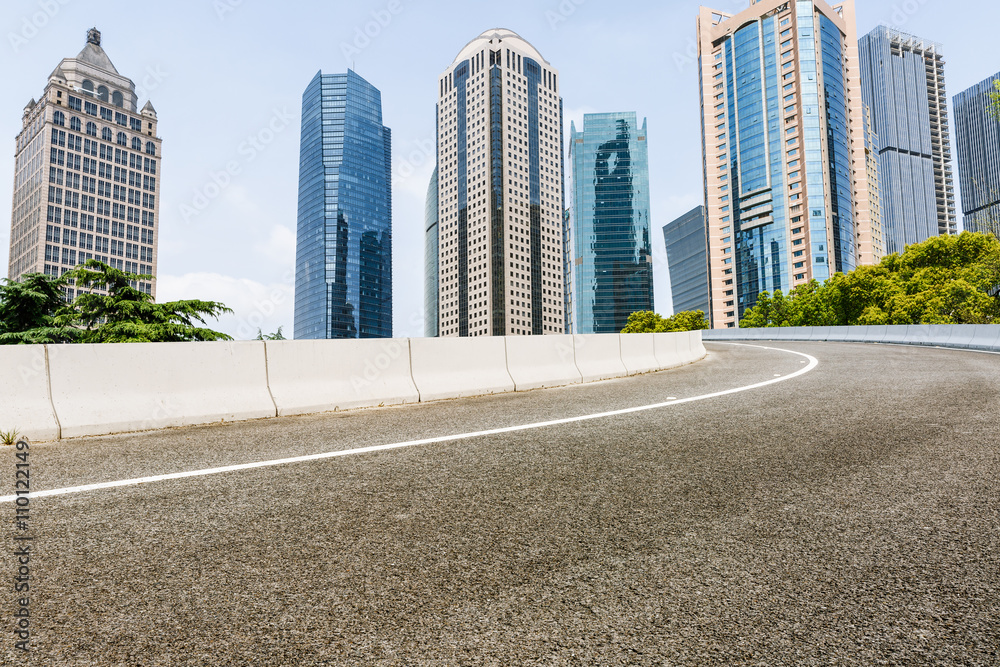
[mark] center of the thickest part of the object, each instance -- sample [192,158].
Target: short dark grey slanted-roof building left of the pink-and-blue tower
[686,240]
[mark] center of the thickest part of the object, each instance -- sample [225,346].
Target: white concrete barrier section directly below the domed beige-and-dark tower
[458,367]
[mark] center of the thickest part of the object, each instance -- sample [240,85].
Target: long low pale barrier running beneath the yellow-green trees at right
[984,337]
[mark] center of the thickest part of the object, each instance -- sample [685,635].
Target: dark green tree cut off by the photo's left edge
[34,311]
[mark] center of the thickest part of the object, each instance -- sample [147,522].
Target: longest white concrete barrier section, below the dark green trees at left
[111,388]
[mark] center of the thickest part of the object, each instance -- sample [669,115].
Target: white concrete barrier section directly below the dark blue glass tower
[310,376]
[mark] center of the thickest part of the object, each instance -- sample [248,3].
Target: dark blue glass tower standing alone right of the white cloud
[343,257]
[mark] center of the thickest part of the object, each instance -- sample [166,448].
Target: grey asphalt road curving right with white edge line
[847,516]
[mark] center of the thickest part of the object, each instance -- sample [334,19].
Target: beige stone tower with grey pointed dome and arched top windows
[85,173]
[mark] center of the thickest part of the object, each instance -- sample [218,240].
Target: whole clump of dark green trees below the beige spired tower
[34,310]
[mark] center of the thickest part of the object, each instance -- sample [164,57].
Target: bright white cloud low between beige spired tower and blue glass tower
[255,304]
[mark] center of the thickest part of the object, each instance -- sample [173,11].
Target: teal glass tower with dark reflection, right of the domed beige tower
[613,268]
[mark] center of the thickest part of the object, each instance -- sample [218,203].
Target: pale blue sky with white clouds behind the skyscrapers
[226,78]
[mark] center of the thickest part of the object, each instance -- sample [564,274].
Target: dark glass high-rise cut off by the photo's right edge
[977,134]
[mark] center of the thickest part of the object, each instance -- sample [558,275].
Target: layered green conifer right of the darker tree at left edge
[128,315]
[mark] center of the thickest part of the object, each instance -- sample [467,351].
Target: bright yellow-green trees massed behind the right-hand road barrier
[944,280]
